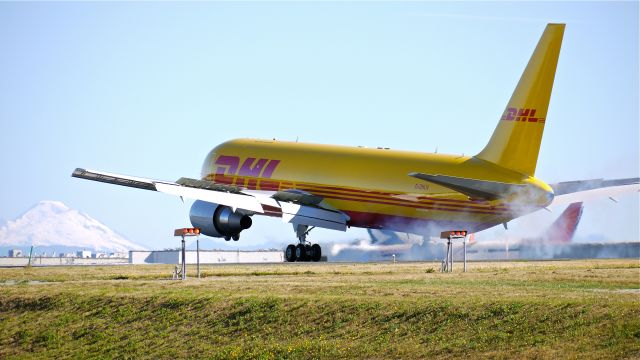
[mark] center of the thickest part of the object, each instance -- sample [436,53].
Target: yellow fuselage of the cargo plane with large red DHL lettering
[372,186]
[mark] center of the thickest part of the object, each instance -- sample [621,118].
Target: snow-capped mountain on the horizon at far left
[52,223]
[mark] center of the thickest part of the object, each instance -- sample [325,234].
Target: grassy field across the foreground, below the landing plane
[558,309]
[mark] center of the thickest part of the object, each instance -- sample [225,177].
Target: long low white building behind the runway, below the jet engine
[206,256]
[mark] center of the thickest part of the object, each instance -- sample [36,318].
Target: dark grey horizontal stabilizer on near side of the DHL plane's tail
[473,188]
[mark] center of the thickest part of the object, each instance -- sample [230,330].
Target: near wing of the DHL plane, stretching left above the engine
[295,208]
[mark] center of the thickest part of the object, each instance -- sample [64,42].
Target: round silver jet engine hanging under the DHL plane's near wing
[218,220]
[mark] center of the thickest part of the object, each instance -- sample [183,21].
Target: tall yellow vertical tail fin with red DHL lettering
[515,143]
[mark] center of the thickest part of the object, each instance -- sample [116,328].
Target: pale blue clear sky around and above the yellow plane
[148,89]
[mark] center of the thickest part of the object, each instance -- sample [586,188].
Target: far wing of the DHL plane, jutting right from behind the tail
[583,190]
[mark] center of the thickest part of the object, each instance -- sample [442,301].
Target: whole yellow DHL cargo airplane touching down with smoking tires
[336,187]
